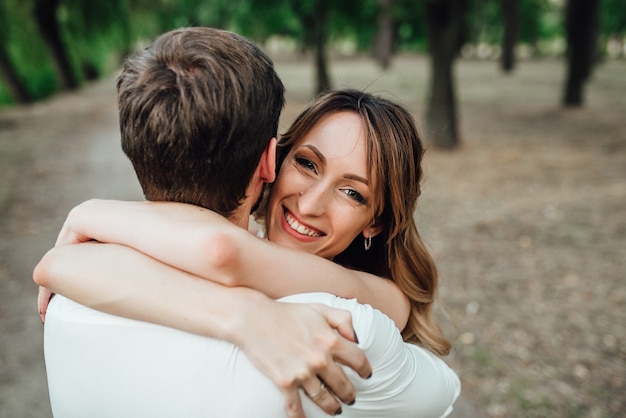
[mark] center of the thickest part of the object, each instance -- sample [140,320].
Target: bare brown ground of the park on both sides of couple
[526,220]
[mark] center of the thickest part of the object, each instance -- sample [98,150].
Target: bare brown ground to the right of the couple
[527,222]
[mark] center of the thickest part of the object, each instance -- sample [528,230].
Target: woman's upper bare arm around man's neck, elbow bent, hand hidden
[207,245]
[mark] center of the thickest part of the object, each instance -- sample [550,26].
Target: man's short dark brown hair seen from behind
[197,109]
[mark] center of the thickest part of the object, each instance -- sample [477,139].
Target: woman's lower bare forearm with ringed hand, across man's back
[121,281]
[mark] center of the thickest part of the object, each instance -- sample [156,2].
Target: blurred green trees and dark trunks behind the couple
[51,45]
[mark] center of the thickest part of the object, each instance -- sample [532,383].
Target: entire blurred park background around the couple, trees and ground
[522,104]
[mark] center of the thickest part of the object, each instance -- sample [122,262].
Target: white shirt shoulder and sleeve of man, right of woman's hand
[410,381]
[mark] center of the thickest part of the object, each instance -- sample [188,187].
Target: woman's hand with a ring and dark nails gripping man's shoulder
[302,346]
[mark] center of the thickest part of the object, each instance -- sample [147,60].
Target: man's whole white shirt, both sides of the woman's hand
[100,365]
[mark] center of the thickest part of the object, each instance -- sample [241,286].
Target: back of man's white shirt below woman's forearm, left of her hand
[100,365]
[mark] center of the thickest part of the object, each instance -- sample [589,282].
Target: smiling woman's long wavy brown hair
[395,153]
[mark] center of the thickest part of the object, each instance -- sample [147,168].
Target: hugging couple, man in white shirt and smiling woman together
[180,306]
